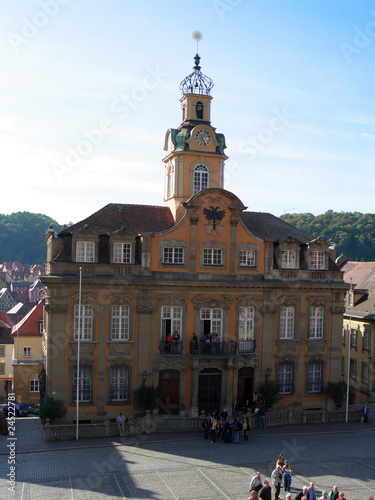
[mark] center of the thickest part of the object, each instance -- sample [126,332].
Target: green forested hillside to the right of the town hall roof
[354,233]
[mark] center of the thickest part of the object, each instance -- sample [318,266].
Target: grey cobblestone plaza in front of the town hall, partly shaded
[186,467]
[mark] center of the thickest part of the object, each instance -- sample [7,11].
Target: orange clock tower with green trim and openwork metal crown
[194,151]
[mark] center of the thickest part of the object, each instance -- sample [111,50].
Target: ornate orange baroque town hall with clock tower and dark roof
[199,297]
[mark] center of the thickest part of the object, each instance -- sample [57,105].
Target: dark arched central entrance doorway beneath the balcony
[209,394]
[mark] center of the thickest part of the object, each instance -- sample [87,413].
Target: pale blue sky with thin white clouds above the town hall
[294,96]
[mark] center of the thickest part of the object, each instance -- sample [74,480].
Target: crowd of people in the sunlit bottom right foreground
[281,477]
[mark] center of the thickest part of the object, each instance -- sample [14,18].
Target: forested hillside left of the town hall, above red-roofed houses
[22,237]
